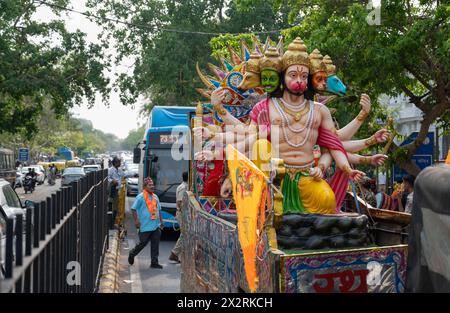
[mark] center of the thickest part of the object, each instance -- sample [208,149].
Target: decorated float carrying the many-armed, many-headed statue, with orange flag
[262,224]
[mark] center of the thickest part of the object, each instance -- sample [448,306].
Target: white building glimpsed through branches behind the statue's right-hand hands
[408,119]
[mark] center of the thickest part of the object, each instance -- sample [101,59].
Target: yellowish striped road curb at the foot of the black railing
[109,279]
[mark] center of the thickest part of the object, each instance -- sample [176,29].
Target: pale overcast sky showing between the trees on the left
[117,119]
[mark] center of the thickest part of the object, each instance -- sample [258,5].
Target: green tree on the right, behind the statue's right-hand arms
[407,53]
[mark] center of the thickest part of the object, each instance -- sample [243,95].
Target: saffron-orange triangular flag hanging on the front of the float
[249,193]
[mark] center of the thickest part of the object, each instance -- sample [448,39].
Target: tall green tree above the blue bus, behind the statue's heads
[165,55]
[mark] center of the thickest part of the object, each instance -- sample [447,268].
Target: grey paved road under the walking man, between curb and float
[140,277]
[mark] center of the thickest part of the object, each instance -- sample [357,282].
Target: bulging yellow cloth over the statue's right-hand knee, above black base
[317,196]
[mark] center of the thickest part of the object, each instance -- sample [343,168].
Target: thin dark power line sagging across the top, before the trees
[89,15]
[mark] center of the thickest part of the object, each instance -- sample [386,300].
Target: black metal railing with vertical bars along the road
[59,245]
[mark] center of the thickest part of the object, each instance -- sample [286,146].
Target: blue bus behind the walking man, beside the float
[164,155]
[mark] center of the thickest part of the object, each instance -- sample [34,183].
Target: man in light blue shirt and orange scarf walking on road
[147,217]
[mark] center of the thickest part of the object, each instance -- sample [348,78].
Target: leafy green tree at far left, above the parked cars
[43,61]
